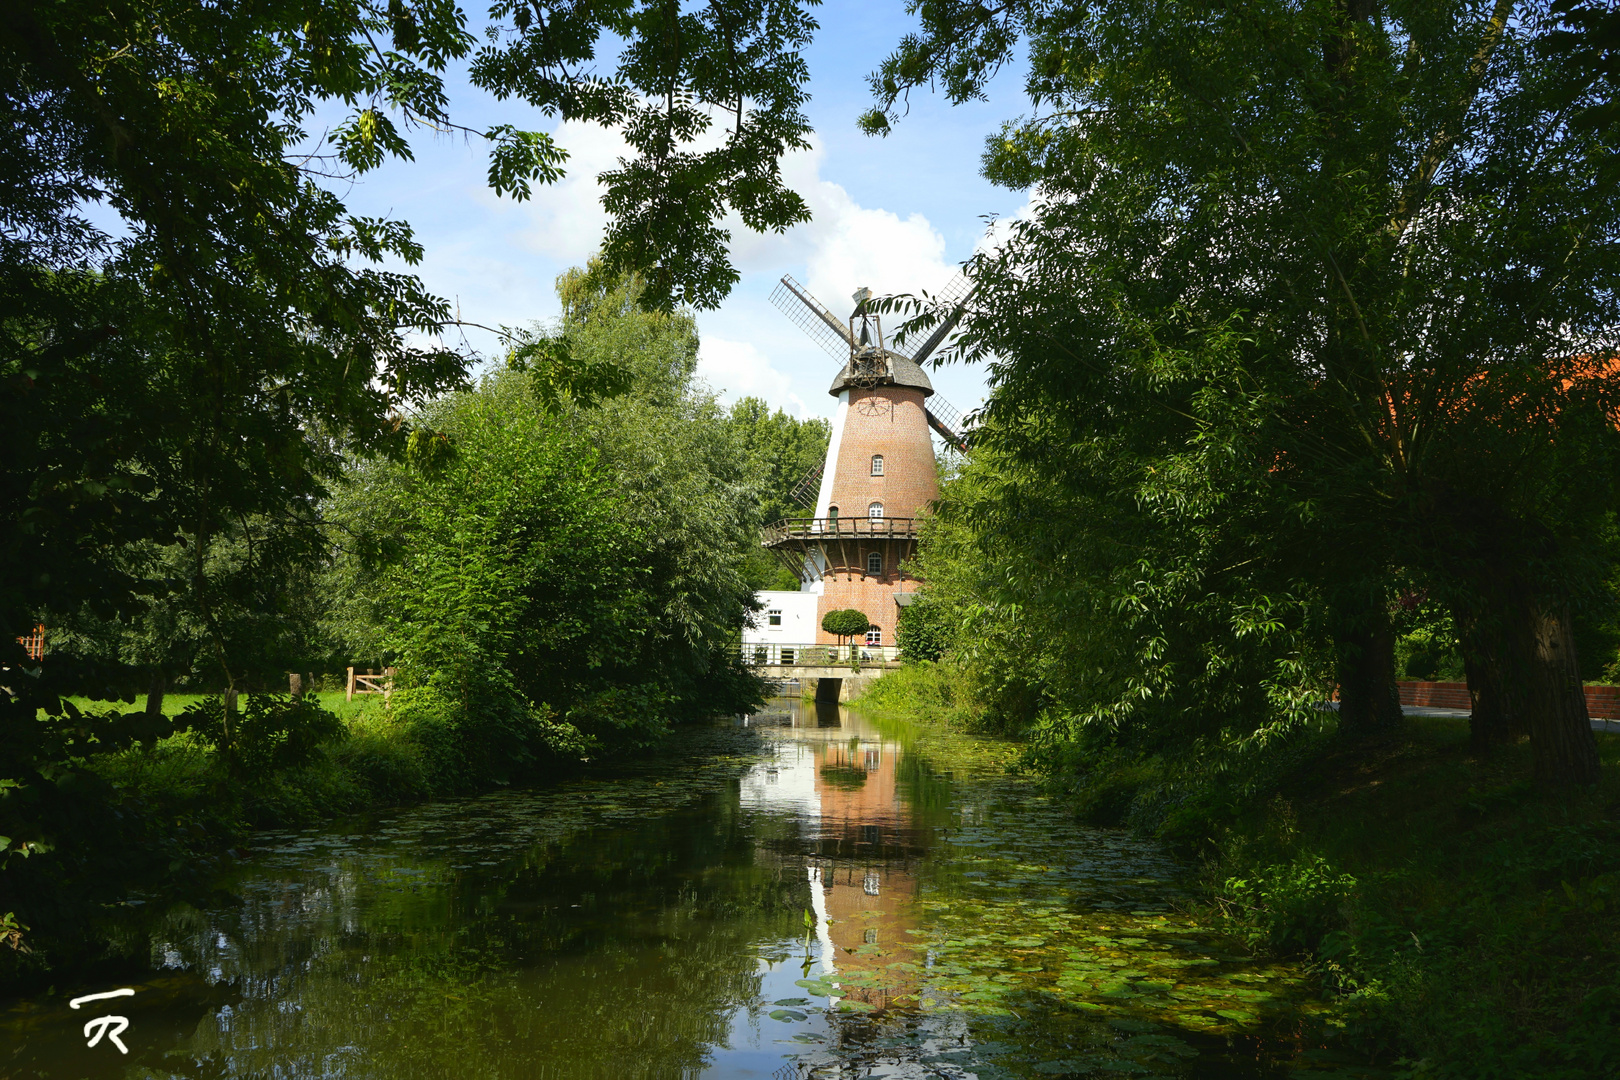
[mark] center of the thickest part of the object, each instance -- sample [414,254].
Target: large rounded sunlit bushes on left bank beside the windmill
[571,577]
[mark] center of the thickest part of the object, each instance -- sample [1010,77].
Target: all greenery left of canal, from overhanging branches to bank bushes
[213,373]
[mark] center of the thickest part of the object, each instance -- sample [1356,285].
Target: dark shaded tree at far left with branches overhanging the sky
[189,367]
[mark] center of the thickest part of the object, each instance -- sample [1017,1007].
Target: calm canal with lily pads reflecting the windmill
[799,895]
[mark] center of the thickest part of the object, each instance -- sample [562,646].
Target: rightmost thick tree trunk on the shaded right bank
[1562,742]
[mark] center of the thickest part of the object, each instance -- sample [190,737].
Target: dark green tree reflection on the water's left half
[607,953]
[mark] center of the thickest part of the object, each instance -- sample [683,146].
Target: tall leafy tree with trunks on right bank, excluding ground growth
[1303,304]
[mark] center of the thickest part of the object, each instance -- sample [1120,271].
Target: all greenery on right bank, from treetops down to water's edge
[1302,383]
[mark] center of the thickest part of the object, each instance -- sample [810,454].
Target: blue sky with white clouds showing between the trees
[893,215]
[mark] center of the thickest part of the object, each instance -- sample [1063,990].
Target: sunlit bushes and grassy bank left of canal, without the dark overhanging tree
[556,574]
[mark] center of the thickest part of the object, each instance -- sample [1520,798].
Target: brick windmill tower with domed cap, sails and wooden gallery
[880,469]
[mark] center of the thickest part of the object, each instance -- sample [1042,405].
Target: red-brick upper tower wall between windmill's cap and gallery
[890,422]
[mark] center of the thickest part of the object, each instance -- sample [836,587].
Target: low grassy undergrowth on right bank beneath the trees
[1457,921]
